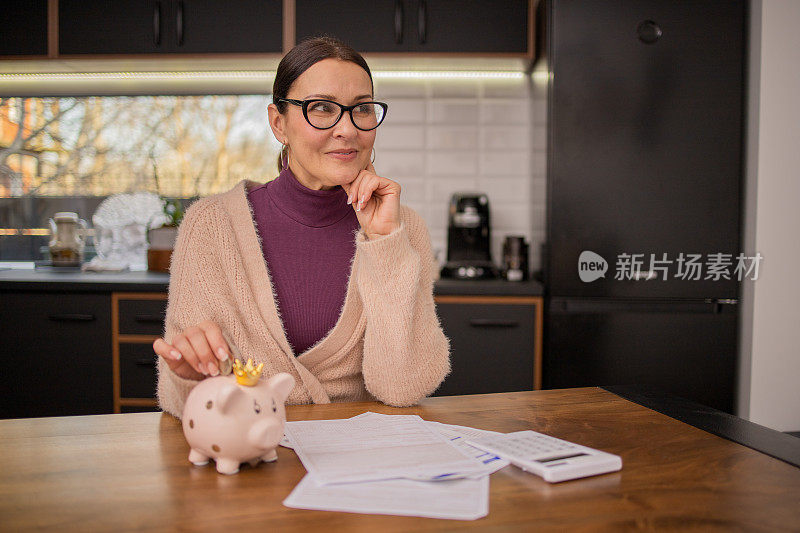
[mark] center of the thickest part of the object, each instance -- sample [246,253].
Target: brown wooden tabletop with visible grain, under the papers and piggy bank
[130,471]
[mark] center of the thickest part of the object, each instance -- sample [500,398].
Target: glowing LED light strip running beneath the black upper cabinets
[246,74]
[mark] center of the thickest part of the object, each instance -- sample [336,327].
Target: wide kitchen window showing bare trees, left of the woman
[68,154]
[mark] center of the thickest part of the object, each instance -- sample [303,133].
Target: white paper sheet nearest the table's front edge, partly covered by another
[458,499]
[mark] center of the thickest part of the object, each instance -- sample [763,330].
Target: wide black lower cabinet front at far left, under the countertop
[57,354]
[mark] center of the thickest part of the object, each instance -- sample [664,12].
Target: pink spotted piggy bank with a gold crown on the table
[236,418]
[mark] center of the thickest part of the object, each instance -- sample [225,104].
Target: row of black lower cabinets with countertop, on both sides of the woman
[81,343]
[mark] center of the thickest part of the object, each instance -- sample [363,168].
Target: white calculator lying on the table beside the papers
[551,458]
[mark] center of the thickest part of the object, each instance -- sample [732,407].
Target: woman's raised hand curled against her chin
[376,201]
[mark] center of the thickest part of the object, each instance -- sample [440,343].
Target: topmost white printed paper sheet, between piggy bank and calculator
[373,447]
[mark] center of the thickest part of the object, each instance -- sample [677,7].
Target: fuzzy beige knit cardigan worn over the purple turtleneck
[387,344]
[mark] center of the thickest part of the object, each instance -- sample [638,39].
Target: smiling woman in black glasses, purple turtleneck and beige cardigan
[320,273]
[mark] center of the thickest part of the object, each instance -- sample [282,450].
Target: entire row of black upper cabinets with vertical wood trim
[81,29]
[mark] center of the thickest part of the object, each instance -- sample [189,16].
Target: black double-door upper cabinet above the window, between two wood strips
[169,26]
